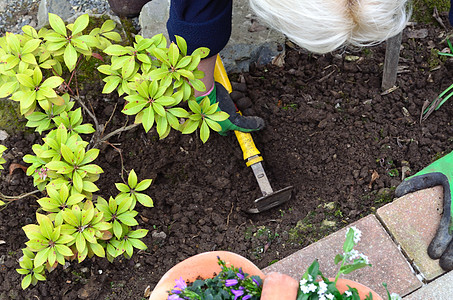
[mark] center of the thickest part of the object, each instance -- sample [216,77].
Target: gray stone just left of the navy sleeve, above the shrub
[153,18]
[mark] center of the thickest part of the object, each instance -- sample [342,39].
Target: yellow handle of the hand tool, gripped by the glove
[249,150]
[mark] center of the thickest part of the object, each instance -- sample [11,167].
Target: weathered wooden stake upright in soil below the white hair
[392,55]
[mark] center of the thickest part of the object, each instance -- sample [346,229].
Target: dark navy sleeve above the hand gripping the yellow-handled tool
[202,23]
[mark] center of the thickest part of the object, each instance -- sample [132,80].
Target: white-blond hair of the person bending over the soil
[322,26]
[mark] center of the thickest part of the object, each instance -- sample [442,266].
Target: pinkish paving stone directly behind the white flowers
[388,264]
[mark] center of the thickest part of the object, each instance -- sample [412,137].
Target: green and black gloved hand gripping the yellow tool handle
[235,121]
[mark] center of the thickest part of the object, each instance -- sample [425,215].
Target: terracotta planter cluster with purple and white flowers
[220,279]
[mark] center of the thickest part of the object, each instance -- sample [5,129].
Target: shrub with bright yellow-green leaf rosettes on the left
[37,69]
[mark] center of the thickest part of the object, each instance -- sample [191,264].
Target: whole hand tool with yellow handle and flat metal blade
[253,158]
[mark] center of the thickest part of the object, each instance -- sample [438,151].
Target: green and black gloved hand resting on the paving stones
[439,172]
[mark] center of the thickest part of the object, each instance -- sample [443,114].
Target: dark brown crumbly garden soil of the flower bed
[328,129]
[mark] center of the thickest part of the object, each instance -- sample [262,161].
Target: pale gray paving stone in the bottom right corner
[439,289]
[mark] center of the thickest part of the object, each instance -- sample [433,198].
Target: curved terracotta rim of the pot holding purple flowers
[203,265]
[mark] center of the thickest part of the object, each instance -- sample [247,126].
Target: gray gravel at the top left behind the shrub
[16,13]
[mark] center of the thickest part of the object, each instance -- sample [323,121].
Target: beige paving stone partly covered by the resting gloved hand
[412,220]
